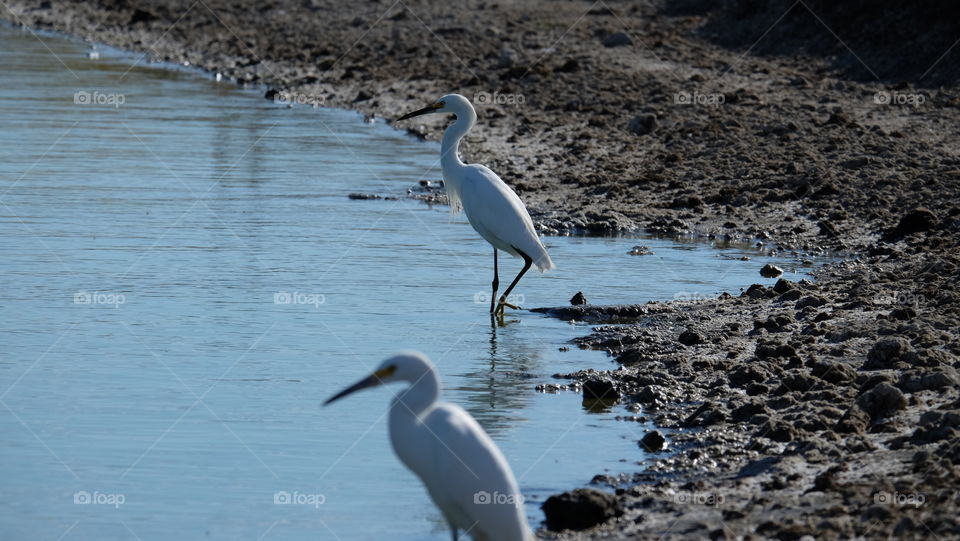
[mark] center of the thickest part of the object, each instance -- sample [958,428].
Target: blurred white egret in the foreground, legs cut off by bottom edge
[462,468]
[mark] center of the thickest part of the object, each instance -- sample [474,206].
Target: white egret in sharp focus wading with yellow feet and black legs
[494,210]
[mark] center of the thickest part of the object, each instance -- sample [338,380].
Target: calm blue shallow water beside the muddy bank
[185,281]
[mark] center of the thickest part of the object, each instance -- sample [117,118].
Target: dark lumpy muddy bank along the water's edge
[828,408]
